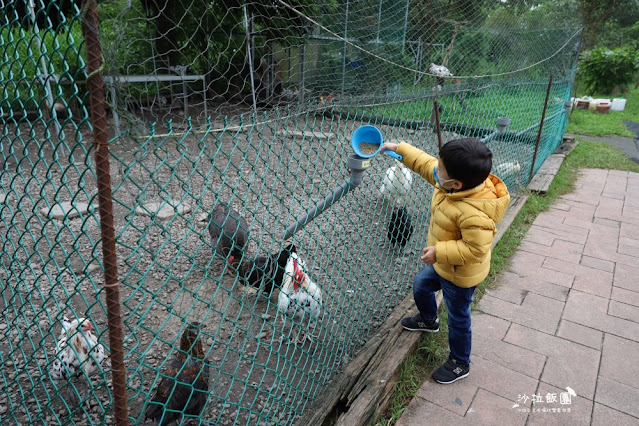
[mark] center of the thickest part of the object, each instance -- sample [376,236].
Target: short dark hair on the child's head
[468,160]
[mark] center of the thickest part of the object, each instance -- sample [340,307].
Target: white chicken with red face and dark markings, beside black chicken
[300,298]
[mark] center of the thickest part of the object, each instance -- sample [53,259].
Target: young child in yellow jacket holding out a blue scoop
[467,202]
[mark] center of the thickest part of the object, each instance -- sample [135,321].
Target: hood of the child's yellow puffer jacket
[491,197]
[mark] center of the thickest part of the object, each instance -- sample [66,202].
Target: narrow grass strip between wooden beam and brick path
[432,349]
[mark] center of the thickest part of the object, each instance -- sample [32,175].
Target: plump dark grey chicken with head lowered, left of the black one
[229,232]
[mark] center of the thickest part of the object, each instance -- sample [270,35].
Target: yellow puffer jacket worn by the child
[462,224]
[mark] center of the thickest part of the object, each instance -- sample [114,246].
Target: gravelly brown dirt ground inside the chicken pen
[169,275]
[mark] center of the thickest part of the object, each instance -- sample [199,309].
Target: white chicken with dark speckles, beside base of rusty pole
[77,352]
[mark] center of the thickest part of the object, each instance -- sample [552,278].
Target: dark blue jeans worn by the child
[457,299]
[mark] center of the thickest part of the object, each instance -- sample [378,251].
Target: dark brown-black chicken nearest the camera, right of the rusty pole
[184,384]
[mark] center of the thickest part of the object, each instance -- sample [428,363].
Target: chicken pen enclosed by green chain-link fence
[124,125]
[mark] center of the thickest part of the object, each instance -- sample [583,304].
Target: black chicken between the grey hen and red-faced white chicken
[263,272]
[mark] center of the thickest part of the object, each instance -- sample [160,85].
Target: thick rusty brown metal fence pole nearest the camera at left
[90,29]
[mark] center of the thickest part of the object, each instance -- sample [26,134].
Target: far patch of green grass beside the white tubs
[584,122]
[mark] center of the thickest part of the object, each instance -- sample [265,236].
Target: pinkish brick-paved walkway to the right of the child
[563,320]
